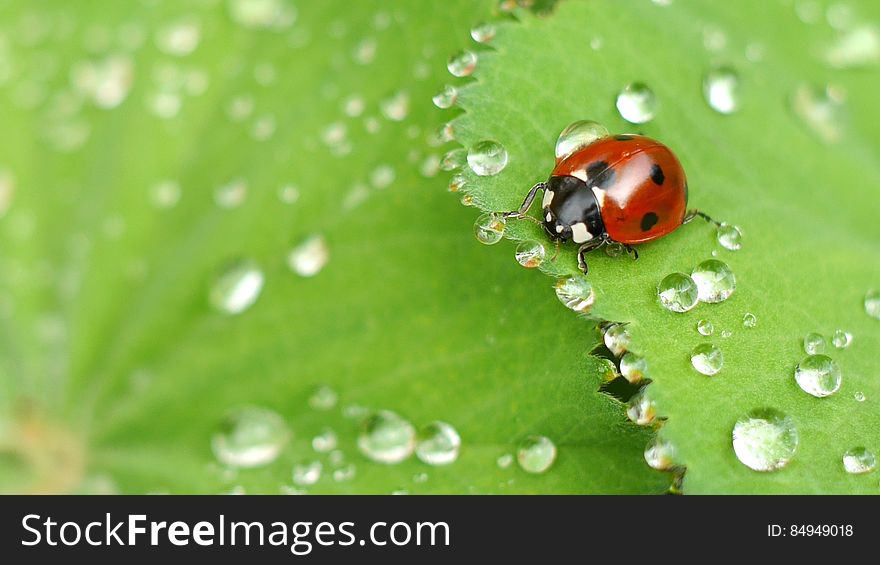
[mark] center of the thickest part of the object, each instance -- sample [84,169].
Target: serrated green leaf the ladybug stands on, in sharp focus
[802,191]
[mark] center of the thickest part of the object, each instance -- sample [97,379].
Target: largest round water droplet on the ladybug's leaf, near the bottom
[765,439]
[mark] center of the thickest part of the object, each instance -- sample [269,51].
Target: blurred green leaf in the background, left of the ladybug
[116,372]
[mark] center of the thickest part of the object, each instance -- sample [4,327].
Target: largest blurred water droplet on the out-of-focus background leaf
[250,437]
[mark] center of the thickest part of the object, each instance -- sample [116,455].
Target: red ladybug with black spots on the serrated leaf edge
[625,189]
